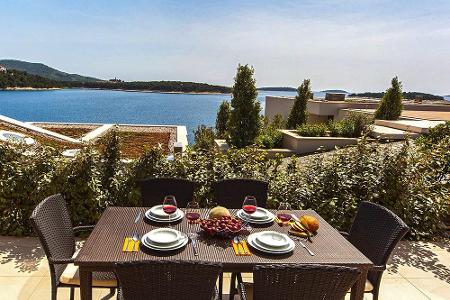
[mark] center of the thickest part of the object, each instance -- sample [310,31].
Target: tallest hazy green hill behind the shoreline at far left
[44,71]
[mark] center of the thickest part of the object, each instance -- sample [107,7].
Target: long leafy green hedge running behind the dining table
[410,179]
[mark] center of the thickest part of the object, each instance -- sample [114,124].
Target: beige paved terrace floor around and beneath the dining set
[417,270]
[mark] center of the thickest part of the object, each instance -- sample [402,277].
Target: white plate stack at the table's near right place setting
[271,242]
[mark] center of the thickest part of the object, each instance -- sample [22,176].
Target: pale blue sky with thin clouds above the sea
[356,45]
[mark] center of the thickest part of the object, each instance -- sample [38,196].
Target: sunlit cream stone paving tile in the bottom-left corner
[20,288]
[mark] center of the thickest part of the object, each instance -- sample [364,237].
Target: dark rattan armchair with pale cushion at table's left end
[51,222]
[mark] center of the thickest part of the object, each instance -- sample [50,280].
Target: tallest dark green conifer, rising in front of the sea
[245,122]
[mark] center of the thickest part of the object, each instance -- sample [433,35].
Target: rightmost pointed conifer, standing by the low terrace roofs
[391,105]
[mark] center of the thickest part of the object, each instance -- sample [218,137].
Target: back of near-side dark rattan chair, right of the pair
[289,282]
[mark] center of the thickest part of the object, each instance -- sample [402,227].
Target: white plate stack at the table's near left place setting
[164,239]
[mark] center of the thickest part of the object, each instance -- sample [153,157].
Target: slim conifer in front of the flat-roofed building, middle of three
[299,115]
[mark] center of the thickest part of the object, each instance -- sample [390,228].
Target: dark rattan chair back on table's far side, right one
[231,192]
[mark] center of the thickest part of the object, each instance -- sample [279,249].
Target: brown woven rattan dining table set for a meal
[103,249]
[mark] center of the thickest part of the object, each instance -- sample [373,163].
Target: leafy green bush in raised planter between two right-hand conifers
[353,125]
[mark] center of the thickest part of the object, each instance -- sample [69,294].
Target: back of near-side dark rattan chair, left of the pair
[167,280]
